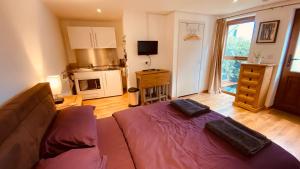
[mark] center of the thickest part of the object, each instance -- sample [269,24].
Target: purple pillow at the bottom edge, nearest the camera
[86,158]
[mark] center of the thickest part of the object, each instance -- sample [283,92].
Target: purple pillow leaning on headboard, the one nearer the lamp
[74,127]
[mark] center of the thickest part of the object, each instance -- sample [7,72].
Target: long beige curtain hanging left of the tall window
[215,77]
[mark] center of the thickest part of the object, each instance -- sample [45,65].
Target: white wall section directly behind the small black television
[144,26]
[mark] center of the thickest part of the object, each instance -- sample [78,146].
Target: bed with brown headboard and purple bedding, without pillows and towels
[150,137]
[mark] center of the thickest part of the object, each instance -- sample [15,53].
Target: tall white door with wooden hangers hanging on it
[189,59]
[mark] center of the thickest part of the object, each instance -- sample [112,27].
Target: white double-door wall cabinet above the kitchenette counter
[92,37]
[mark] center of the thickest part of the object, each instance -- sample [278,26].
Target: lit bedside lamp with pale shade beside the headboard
[56,88]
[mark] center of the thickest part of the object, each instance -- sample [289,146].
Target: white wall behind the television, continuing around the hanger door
[139,25]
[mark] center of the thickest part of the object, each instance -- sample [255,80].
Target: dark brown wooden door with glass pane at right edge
[288,93]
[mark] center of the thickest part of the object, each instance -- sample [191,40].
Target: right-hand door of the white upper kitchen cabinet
[105,37]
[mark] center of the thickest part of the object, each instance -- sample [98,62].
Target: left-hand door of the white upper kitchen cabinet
[80,37]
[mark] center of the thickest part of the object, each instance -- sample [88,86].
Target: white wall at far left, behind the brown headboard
[31,46]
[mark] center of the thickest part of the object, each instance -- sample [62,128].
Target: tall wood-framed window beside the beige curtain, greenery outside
[237,48]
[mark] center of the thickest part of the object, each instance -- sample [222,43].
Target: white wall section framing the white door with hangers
[209,22]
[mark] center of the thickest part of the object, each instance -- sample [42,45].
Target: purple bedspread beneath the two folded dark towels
[160,137]
